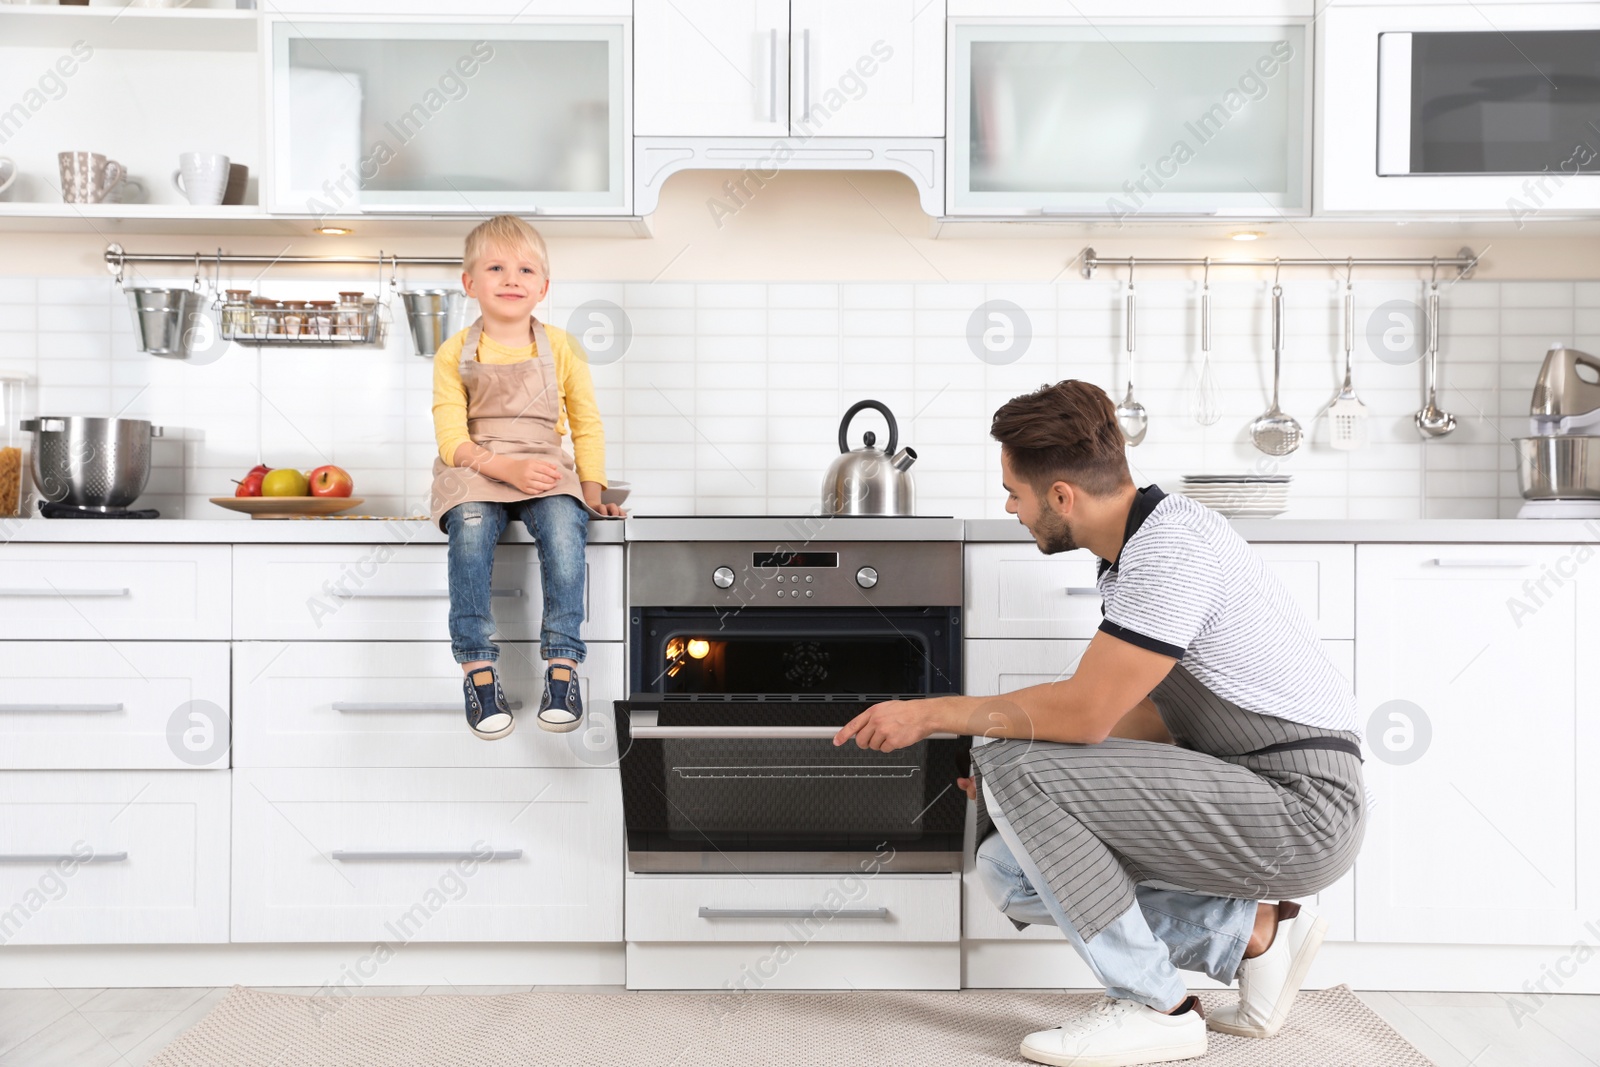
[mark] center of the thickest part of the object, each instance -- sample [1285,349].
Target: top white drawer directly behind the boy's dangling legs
[401,594]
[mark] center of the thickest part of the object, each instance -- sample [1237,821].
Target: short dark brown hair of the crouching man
[1065,433]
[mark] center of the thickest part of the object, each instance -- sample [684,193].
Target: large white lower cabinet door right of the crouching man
[1474,674]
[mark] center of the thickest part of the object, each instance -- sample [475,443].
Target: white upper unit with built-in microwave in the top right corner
[1478,110]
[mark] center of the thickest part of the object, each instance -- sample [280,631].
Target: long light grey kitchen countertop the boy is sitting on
[778,530]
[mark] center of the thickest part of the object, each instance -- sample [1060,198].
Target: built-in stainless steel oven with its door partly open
[745,658]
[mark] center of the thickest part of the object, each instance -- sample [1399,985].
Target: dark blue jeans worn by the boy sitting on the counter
[561,530]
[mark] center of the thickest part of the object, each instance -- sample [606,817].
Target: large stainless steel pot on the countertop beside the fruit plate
[92,463]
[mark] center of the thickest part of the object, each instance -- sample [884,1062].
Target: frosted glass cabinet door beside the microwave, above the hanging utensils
[1130,121]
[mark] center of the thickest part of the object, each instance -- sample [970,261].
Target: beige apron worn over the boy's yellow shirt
[513,410]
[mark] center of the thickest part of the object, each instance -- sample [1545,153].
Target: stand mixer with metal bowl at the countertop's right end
[1559,463]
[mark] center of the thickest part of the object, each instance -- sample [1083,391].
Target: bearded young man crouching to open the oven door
[1204,756]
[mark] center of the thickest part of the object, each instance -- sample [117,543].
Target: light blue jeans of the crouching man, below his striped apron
[1140,954]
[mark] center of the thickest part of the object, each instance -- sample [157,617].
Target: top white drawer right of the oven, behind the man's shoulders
[1017,593]
